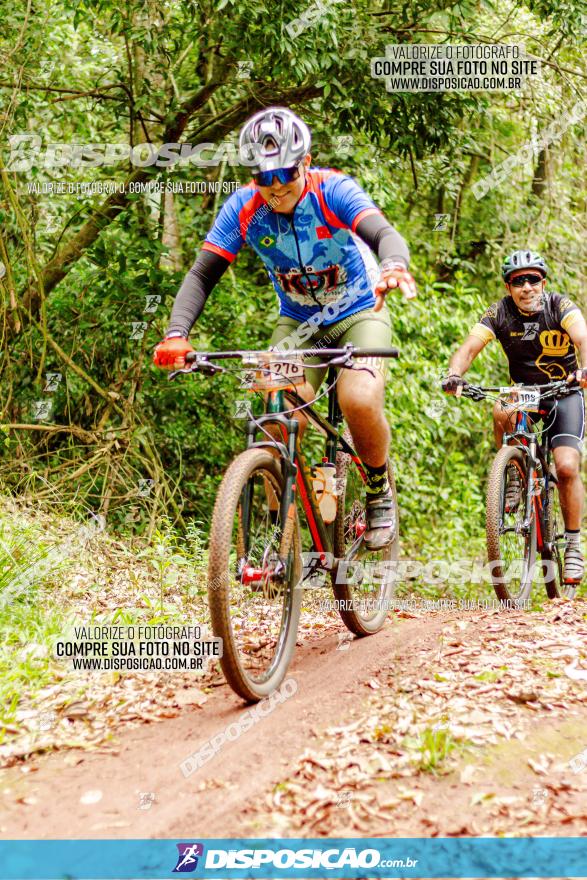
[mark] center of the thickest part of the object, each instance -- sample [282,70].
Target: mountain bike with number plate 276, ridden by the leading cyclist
[256,572]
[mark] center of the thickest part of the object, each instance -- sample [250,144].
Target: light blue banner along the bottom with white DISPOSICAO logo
[307,858]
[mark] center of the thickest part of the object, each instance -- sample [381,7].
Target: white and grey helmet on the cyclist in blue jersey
[274,138]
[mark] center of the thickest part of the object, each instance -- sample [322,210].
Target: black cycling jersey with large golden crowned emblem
[537,346]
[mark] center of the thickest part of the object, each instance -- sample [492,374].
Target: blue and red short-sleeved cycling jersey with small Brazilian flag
[313,256]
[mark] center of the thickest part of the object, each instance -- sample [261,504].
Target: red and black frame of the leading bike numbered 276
[298,475]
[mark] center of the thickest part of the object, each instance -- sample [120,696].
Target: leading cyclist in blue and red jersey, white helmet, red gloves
[315,230]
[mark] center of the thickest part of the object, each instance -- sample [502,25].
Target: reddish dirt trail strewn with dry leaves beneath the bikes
[377,700]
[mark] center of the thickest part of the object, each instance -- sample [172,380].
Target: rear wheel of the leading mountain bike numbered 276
[363,582]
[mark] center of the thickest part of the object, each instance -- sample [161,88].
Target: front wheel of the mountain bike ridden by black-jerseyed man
[511,541]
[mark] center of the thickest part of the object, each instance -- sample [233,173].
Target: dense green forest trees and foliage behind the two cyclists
[119,73]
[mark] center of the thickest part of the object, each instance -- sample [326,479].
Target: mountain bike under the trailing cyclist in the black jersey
[516,532]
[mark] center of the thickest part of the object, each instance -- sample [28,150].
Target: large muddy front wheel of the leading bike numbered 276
[254,600]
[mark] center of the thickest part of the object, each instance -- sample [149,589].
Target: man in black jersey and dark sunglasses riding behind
[544,336]
